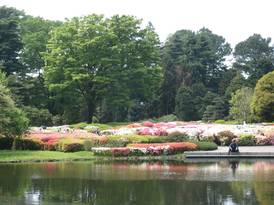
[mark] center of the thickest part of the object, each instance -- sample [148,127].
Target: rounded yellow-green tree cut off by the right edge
[263,99]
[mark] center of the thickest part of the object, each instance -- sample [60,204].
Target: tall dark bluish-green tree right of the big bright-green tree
[192,57]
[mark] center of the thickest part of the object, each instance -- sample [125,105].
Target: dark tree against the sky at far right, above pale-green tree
[254,57]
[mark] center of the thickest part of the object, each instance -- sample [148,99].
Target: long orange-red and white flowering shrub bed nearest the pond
[155,149]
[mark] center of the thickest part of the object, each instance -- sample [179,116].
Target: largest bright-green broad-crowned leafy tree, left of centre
[113,61]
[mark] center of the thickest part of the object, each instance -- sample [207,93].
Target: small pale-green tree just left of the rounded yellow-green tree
[240,105]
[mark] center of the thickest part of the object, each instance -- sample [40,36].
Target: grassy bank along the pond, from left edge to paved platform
[9,156]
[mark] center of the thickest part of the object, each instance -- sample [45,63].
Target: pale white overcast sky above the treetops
[235,20]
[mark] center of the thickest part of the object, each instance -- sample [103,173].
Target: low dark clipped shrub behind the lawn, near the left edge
[27,144]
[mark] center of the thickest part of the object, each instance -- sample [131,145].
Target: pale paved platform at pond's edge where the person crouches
[245,152]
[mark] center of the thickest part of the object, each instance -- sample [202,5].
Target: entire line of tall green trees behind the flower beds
[94,68]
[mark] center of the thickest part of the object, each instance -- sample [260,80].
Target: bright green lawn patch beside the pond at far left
[25,156]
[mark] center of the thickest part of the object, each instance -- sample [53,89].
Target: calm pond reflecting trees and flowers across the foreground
[145,183]
